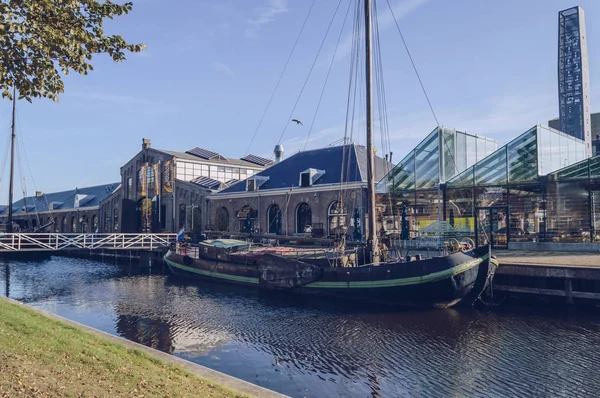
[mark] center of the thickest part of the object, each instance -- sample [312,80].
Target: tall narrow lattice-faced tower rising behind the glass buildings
[573,76]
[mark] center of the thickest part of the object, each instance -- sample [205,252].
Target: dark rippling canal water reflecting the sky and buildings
[316,348]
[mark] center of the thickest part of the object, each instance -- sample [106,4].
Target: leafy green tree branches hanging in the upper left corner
[41,38]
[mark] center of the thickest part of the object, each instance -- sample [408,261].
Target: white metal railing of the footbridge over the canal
[60,241]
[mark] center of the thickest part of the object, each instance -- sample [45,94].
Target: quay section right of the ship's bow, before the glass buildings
[567,277]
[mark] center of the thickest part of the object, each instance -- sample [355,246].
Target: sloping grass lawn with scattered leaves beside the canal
[41,357]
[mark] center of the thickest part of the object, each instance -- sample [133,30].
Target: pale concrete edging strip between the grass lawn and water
[201,371]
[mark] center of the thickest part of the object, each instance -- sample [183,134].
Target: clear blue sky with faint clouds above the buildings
[211,66]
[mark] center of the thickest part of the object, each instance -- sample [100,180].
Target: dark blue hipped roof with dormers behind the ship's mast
[351,158]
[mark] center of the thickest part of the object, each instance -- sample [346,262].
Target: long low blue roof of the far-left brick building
[93,196]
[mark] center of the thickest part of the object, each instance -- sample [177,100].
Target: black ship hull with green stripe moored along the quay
[458,278]
